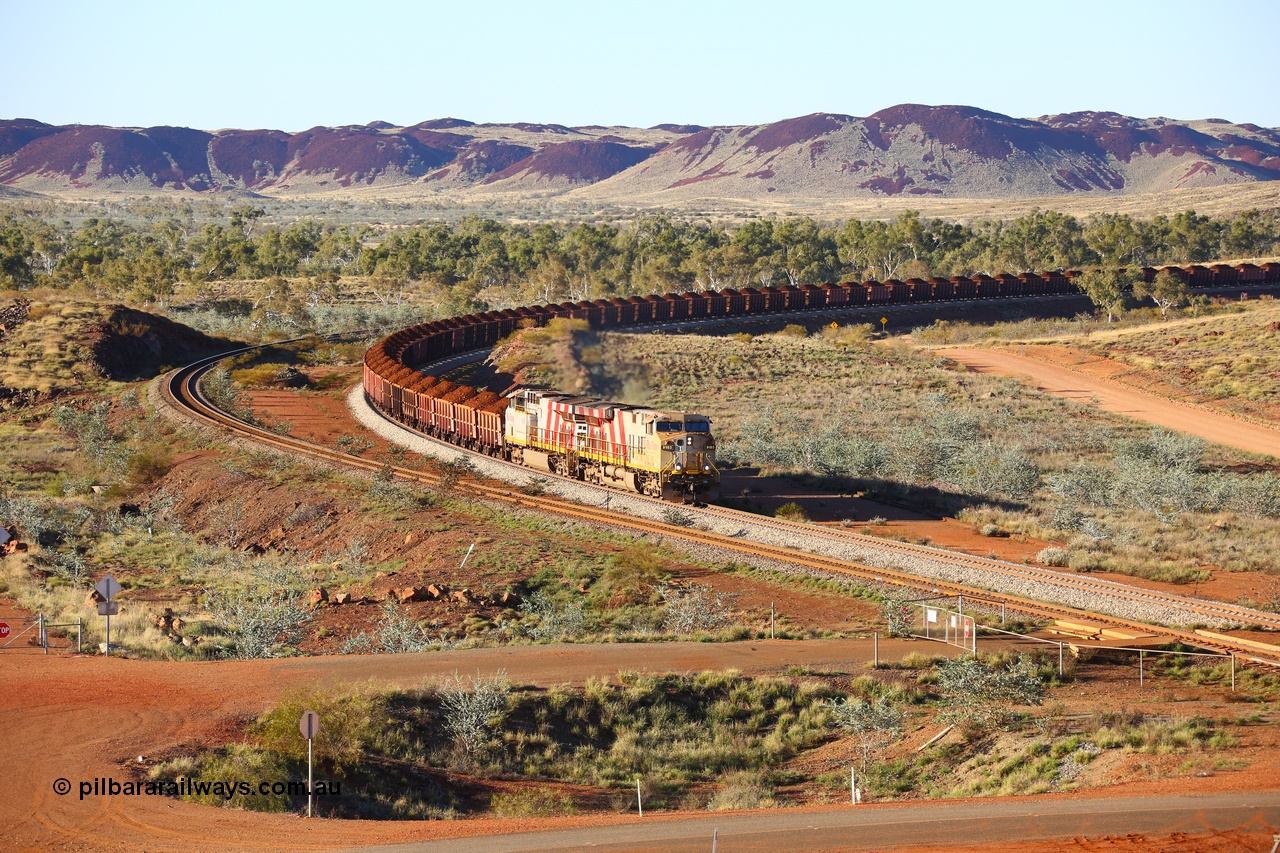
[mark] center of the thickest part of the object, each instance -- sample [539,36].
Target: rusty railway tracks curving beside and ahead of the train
[182,391]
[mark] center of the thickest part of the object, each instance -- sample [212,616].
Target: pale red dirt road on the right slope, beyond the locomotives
[1110,396]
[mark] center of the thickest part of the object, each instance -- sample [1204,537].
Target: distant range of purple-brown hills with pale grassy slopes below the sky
[903,152]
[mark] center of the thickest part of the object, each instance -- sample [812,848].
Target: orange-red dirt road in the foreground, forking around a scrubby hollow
[86,718]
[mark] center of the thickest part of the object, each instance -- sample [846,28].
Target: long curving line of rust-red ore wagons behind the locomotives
[476,419]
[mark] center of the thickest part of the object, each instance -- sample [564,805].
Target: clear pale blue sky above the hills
[292,66]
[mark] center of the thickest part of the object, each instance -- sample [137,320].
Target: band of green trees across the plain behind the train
[488,264]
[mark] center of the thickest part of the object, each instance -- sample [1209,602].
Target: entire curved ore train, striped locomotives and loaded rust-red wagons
[661,454]
